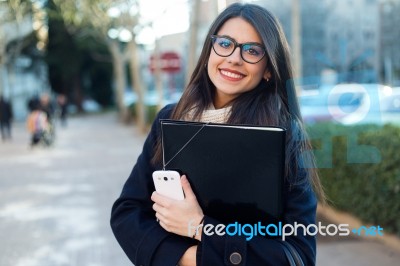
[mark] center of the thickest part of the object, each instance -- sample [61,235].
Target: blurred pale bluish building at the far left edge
[21,76]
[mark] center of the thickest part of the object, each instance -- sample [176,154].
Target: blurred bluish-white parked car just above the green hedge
[346,103]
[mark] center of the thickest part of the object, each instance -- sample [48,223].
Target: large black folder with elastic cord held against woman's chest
[235,171]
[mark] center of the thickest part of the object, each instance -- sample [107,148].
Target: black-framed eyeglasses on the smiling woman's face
[224,46]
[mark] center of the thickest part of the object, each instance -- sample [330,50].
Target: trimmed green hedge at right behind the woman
[359,168]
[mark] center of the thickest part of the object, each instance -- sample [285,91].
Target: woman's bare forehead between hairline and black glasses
[240,30]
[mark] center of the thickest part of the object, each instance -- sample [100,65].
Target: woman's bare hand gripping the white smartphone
[180,217]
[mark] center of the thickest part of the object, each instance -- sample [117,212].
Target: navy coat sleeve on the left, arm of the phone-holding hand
[133,220]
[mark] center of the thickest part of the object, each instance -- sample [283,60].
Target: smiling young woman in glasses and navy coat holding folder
[243,76]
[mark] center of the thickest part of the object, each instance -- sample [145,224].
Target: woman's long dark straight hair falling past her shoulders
[272,102]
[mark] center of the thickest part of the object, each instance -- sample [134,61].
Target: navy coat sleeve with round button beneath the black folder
[236,250]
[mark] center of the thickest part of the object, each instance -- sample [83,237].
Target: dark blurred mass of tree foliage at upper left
[77,62]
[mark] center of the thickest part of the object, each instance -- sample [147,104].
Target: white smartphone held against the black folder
[168,183]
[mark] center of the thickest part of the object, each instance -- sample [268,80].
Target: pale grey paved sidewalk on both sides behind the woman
[55,203]
